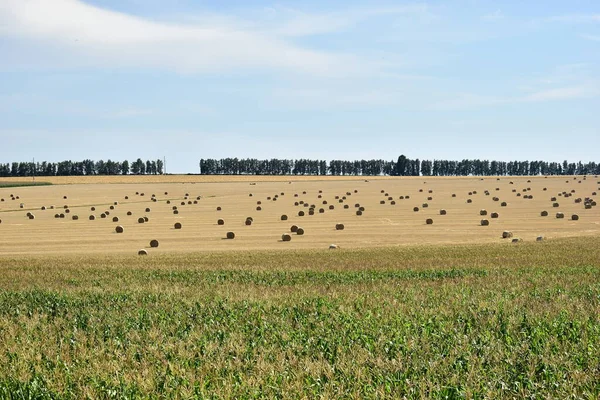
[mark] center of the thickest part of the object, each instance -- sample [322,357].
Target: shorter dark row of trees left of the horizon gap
[85,167]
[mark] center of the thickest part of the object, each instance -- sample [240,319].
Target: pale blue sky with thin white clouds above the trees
[185,80]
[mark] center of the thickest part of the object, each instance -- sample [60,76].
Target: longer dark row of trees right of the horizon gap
[402,167]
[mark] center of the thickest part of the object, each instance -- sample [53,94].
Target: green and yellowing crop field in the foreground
[436,321]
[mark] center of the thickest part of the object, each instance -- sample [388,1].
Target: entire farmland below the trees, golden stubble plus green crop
[401,309]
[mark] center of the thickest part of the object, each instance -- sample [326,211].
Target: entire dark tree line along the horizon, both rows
[403,166]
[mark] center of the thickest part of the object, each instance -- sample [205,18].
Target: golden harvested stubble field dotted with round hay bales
[195,213]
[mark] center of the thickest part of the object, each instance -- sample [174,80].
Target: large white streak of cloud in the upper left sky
[87,35]
